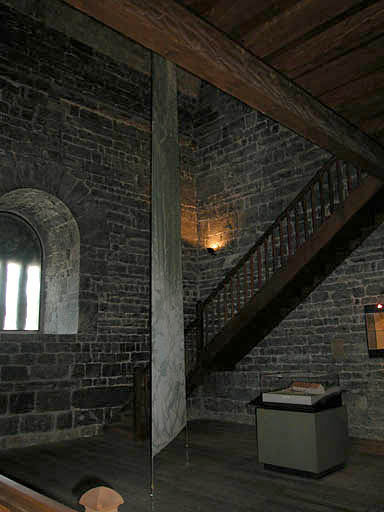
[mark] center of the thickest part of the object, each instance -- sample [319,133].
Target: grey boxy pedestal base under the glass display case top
[308,443]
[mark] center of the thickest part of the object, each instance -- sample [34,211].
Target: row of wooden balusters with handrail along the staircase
[274,250]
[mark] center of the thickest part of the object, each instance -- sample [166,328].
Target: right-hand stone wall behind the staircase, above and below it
[248,169]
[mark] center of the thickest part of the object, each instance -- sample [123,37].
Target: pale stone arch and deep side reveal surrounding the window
[59,235]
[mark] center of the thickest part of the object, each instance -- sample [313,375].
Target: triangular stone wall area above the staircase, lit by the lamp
[248,169]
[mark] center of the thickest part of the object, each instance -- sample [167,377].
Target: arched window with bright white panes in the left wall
[20,274]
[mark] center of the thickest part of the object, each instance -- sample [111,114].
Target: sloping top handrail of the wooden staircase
[269,230]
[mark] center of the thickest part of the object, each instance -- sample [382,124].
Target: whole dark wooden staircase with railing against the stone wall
[327,220]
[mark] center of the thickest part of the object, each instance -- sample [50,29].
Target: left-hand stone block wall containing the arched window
[75,124]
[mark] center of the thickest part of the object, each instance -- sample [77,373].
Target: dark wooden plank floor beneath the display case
[223,474]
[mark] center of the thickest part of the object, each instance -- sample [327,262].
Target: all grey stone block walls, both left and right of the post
[75,124]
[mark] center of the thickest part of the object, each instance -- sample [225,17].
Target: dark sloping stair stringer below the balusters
[336,238]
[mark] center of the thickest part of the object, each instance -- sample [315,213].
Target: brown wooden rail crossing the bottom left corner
[19,498]
